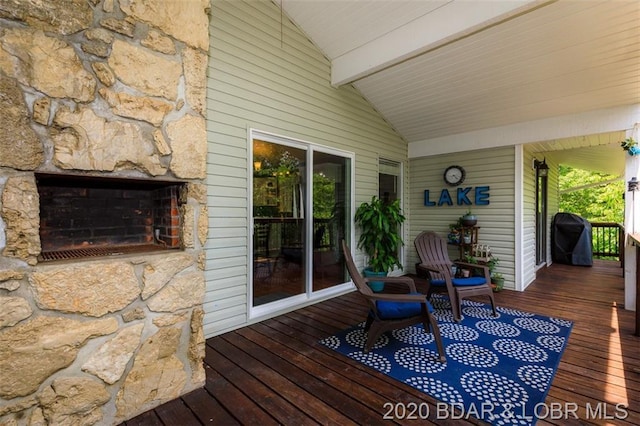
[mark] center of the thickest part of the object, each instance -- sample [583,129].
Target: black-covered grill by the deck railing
[571,240]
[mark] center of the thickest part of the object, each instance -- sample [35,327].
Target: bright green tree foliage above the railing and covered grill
[596,203]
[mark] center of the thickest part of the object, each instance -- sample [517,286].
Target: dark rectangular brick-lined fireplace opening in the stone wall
[95,216]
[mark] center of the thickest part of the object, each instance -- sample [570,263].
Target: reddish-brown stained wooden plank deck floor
[275,372]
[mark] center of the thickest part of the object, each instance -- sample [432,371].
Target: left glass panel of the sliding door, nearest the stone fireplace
[279,249]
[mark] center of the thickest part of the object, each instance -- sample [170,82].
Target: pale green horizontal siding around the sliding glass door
[265,74]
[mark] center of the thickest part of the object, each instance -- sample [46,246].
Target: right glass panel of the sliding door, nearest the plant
[331,186]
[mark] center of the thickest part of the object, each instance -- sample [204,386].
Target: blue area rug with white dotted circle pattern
[498,369]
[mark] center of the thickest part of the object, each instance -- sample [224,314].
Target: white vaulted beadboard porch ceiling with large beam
[435,68]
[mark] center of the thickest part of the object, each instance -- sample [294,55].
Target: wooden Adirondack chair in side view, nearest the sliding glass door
[392,311]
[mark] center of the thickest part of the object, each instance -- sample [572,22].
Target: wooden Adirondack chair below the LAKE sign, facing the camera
[434,258]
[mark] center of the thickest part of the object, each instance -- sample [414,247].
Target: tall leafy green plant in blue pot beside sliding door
[380,237]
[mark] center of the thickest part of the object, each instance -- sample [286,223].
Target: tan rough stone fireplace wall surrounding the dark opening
[104,88]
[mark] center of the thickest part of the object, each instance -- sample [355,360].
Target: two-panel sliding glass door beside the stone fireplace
[300,215]
